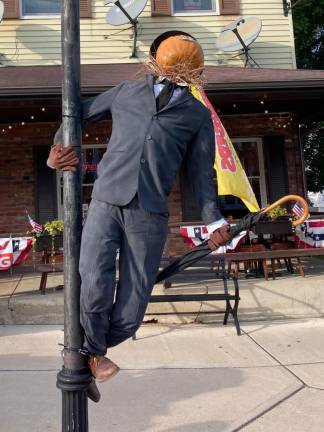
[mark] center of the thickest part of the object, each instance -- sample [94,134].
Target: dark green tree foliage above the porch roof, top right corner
[308,18]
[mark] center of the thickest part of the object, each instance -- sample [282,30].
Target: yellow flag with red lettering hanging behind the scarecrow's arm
[231,177]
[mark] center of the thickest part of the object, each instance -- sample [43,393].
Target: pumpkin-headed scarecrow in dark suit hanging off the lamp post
[157,126]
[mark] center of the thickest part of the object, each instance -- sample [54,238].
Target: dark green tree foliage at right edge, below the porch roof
[314,156]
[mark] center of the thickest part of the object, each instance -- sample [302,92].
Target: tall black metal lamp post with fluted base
[74,379]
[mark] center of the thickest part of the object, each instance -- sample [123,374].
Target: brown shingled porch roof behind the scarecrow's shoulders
[46,80]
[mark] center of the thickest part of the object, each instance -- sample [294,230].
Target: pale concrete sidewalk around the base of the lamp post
[186,378]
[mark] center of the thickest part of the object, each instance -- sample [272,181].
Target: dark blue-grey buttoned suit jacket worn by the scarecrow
[146,147]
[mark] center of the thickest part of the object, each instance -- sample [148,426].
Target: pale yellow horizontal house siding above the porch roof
[38,41]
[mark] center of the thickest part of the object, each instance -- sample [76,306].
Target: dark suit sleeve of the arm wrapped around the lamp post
[94,109]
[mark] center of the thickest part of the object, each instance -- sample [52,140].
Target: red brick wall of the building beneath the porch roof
[17,171]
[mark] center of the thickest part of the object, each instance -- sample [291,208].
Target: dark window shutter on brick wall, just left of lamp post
[45,186]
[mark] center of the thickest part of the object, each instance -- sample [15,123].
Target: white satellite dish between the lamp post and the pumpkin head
[123,12]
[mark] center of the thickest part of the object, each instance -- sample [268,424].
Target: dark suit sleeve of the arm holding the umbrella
[200,168]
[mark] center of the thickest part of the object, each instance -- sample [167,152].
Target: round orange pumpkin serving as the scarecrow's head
[180,51]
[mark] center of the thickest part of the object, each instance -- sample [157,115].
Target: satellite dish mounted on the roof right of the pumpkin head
[239,35]
